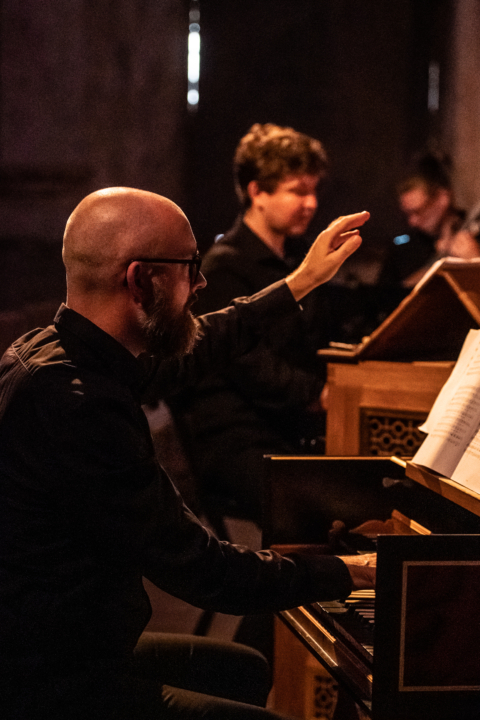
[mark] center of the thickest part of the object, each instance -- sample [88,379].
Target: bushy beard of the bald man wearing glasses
[167,332]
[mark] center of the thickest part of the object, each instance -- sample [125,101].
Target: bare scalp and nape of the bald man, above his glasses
[112,227]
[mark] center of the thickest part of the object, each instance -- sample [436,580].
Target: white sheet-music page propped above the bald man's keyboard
[454,420]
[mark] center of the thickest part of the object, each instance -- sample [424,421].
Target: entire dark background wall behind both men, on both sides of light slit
[93,94]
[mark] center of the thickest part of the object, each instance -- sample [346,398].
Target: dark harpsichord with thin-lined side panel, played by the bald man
[412,651]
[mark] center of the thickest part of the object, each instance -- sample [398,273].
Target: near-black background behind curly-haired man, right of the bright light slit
[353,74]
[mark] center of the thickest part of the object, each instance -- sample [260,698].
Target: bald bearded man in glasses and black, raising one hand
[85,511]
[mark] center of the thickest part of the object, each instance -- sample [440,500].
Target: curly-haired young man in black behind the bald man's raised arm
[267,401]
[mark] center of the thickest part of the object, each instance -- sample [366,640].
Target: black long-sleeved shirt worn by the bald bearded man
[85,510]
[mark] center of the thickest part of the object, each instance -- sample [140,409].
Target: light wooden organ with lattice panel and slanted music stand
[381,390]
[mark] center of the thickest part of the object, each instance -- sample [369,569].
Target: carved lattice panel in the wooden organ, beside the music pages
[385,433]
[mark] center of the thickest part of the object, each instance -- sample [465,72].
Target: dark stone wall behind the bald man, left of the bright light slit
[93,94]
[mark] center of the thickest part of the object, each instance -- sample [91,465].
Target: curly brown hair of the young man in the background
[269,153]
